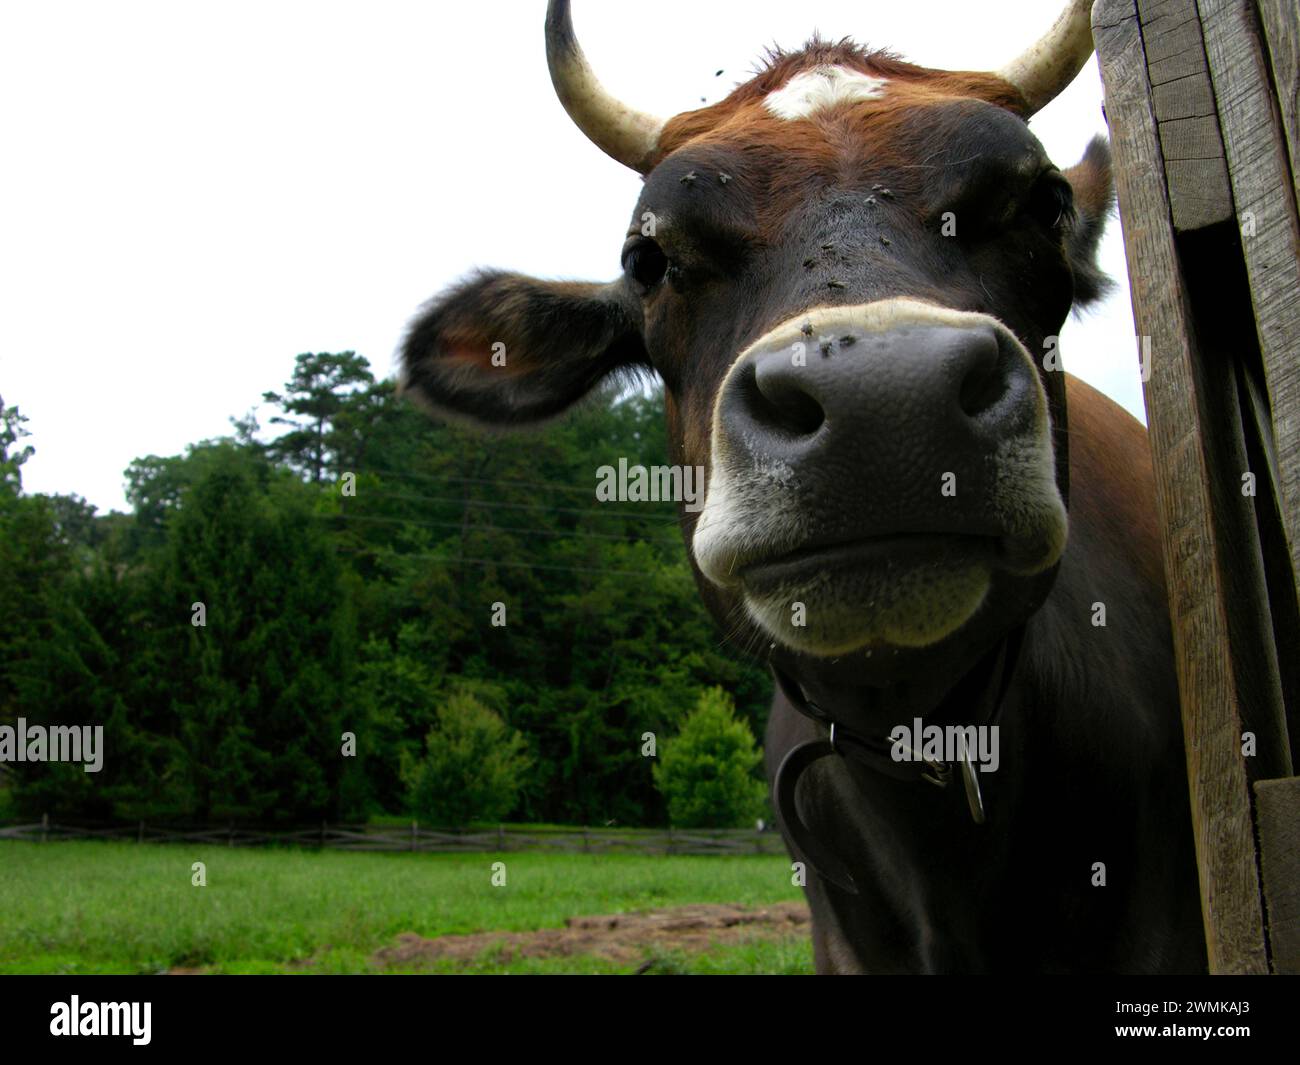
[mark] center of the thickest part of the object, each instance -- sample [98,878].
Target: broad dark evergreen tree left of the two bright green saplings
[261,686]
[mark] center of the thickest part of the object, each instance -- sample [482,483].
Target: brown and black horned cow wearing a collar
[851,275]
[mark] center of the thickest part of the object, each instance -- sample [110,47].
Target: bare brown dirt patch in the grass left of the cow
[625,938]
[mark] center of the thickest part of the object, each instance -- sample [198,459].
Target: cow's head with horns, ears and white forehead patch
[848,275]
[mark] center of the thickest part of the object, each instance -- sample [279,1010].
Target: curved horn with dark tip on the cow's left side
[622,133]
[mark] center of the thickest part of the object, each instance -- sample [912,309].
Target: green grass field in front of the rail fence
[128,908]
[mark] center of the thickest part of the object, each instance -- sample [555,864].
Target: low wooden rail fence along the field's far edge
[414,838]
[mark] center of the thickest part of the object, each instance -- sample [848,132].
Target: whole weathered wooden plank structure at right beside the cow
[1202,105]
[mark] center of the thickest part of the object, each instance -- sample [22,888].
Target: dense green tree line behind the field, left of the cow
[359,612]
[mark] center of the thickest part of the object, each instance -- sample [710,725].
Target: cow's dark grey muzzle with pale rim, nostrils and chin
[873,469]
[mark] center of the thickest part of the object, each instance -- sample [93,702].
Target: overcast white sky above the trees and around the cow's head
[194,193]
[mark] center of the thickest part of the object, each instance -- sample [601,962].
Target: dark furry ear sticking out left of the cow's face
[502,350]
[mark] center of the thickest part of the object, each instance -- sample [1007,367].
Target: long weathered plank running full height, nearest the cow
[1220,802]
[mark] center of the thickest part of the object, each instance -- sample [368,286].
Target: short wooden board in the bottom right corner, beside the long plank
[1279,806]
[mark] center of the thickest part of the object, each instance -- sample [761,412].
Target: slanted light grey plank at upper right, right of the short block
[1266,197]
